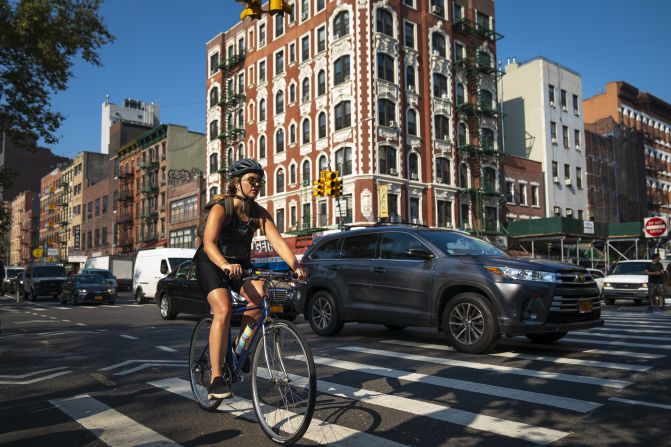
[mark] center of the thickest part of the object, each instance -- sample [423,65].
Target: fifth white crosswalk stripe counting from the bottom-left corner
[496,368]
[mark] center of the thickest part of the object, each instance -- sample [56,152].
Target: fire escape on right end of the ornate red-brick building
[477,146]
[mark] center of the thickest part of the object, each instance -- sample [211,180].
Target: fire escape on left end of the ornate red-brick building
[232,107]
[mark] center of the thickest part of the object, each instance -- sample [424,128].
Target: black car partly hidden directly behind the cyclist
[180,292]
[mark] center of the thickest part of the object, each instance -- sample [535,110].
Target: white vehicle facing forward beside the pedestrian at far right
[627,280]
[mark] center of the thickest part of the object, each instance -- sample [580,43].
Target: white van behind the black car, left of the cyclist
[152,265]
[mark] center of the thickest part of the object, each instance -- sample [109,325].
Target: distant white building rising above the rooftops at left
[132,111]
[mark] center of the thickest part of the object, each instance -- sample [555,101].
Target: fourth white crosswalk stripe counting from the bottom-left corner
[566,403]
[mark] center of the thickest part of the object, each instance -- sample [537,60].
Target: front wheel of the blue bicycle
[284,383]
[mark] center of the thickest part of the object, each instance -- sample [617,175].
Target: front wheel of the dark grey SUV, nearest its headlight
[469,324]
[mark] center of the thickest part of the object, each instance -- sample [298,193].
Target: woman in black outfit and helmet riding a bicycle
[226,252]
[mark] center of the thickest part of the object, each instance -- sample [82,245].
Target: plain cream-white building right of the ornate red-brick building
[543,121]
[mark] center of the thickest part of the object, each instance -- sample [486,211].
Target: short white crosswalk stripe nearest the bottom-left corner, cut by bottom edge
[112,427]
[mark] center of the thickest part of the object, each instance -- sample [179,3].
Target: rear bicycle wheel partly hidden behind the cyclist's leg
[200,369]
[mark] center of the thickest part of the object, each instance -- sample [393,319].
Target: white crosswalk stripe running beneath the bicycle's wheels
[319,431]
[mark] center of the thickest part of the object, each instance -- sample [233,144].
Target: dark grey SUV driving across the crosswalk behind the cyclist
[403,276]
